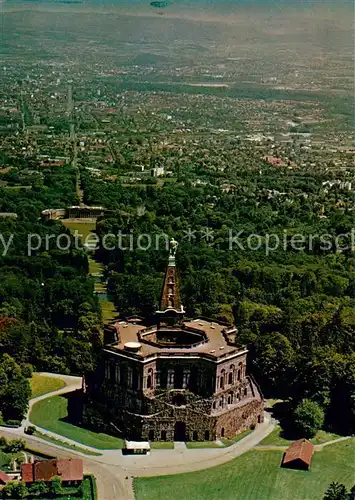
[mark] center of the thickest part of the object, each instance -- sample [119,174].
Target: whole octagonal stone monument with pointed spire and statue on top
[175,380]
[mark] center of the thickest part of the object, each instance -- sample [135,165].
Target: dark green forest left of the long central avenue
[49,317]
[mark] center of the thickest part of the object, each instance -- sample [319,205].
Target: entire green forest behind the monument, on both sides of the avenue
[294,309]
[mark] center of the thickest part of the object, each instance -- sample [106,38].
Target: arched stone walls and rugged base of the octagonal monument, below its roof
[173,399]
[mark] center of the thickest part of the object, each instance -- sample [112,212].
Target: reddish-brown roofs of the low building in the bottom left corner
[45,470]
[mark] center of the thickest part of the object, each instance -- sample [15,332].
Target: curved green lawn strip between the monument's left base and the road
[51,414]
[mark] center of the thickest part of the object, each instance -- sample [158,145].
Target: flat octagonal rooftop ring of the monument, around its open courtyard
[194,338]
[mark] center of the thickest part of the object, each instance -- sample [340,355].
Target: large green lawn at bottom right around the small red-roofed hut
[256,475]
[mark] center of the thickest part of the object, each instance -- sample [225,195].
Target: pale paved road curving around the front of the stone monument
[114,471]
